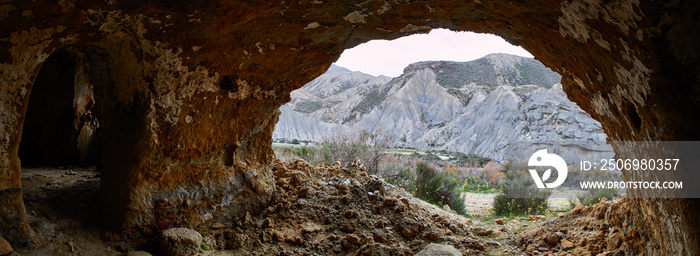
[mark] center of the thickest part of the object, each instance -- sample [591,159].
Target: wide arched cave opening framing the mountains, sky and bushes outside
[457,100]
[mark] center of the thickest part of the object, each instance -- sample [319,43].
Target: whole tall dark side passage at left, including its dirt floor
[58,150]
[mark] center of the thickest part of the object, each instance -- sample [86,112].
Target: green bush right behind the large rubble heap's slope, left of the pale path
[437,188]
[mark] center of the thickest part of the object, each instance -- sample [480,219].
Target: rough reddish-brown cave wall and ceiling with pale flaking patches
[187,93]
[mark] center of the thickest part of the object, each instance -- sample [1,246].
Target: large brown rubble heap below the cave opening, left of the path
[331,209]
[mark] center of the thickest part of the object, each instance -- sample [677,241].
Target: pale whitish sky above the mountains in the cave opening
[389,58]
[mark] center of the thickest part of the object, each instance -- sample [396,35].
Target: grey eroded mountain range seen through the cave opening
[481,106]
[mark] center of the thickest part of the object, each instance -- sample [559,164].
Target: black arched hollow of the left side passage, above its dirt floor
[59,127]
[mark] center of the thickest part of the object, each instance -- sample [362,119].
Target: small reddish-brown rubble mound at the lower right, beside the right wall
[611,227]
